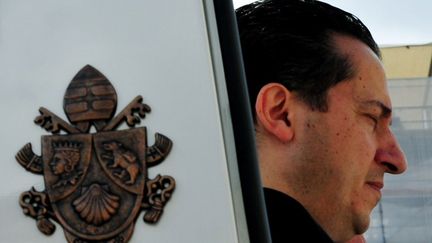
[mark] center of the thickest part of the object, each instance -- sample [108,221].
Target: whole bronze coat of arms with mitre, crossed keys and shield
[96,184]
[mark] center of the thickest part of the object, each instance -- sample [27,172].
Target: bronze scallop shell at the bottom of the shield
[96,206]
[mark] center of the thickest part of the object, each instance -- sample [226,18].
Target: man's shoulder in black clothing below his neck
[289,221]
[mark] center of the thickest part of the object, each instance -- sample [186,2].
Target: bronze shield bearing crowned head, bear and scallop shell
[96,181]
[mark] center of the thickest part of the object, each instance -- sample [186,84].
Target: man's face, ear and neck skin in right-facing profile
[332,162]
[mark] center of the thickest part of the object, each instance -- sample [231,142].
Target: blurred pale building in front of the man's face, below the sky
[404,214]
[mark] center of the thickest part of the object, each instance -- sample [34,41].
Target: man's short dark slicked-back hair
[290,42]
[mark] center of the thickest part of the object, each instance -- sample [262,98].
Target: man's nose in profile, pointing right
[390,154]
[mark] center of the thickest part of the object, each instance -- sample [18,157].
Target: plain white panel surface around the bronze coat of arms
[157,49]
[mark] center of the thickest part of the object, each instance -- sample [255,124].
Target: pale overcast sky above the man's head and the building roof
[391,22]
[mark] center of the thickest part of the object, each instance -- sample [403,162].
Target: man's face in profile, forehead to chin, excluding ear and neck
[348,149]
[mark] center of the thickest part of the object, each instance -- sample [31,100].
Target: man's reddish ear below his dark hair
[273,112]
